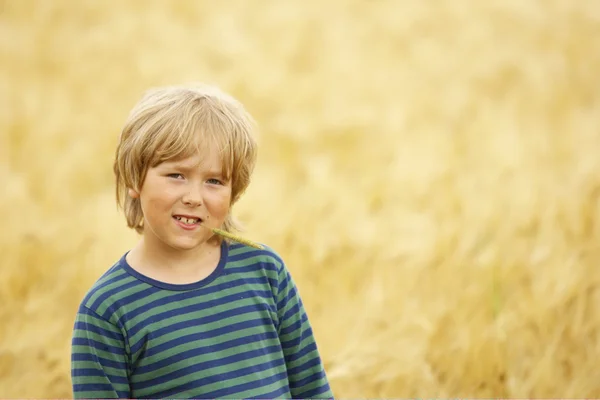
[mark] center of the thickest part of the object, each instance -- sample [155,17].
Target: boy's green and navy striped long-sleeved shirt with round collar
[241,332]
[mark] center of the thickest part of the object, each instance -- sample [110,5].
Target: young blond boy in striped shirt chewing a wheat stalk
[186,313]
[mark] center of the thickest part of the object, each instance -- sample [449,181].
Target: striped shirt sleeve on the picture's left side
[98,358]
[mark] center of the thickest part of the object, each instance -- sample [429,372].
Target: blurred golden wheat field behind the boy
[428,170]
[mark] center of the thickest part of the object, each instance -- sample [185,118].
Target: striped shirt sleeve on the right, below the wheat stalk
[306,373]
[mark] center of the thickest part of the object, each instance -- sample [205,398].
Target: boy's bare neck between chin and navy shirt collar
[174,266]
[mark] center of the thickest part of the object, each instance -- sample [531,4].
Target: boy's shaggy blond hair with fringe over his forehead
[174,122]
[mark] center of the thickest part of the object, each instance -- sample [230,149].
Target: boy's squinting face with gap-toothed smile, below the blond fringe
[180,199]
